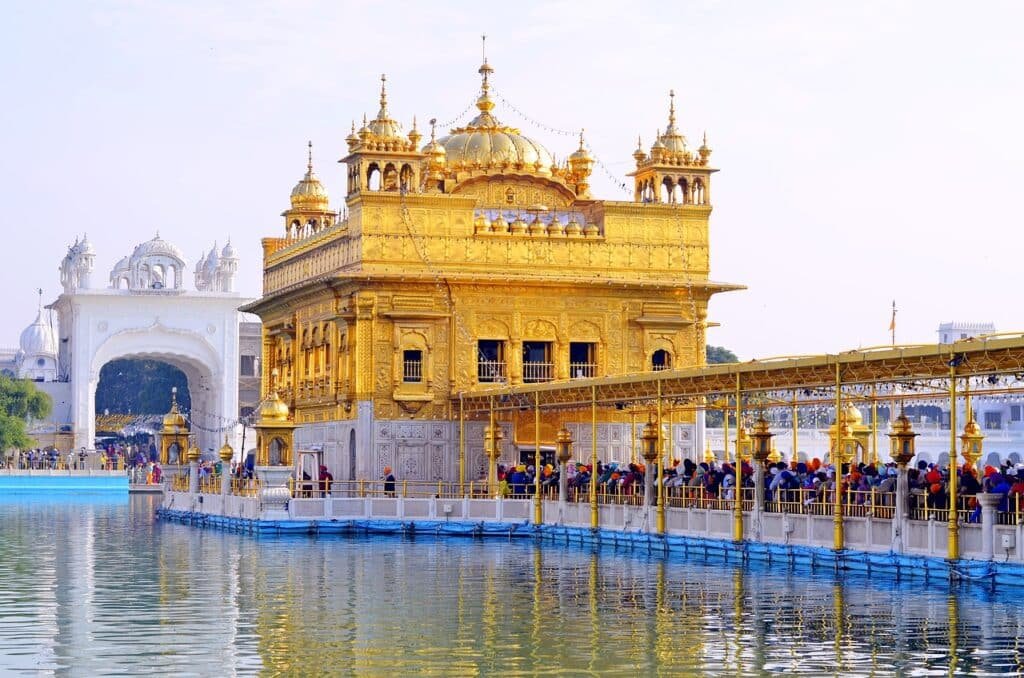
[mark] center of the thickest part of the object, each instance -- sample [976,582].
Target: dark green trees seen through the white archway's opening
[140,388]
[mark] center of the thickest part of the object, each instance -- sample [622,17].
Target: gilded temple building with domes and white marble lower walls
[476,259]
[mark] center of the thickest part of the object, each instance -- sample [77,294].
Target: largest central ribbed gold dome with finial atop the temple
[487,144]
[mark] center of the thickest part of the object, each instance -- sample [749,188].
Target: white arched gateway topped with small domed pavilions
[147,314]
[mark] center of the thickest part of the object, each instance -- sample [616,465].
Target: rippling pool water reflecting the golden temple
[94,585]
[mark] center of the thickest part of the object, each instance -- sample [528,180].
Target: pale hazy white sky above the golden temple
[869,151]
